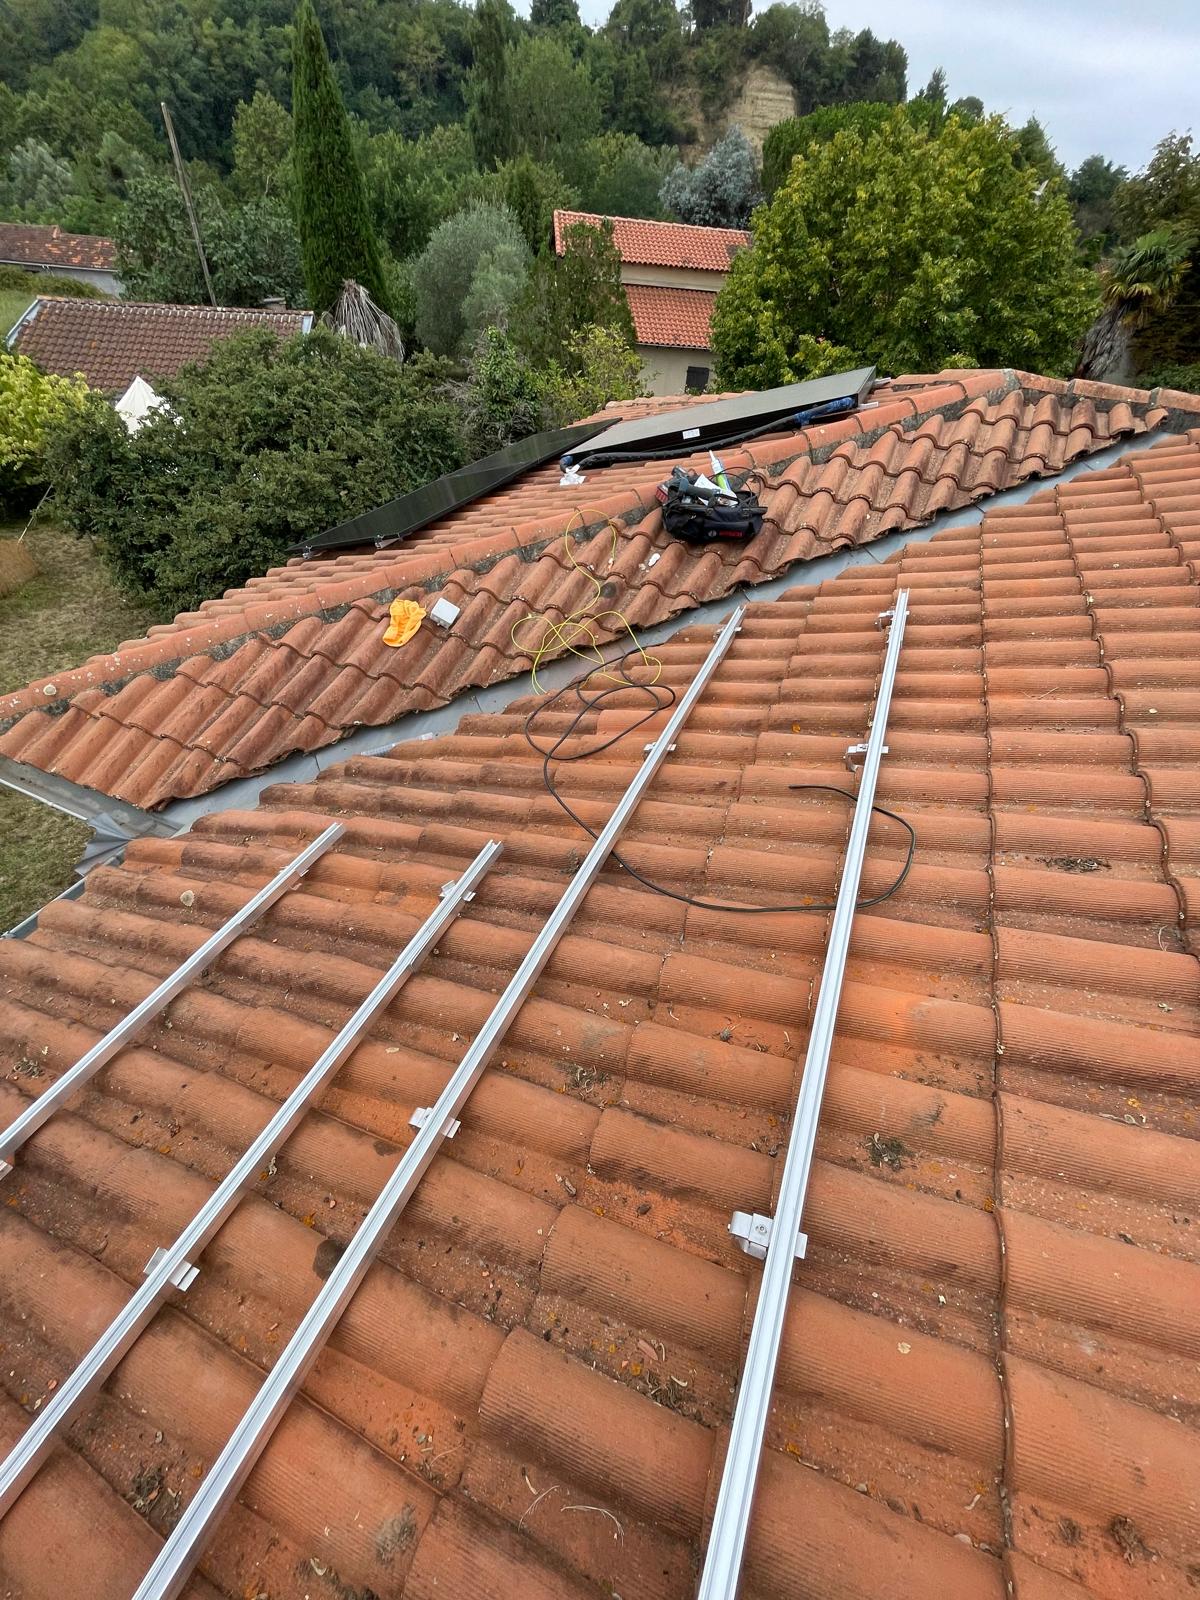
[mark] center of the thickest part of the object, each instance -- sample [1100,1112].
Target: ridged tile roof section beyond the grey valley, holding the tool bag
[294,662]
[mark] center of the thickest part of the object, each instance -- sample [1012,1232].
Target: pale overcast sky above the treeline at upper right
[1103,76]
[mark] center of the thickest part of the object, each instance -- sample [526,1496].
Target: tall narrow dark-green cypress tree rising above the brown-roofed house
[335,230]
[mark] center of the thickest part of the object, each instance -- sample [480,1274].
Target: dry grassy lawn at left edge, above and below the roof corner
[71,610]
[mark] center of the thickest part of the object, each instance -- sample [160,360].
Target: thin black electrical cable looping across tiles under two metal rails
[662,697]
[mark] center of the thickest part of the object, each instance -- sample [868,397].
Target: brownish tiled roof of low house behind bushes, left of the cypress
[113,342]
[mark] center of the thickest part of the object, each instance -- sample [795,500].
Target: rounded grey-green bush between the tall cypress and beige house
[468,278]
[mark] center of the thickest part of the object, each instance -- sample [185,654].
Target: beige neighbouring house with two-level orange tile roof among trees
[673,273]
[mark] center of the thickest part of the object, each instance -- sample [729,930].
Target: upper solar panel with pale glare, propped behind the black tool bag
[721,422]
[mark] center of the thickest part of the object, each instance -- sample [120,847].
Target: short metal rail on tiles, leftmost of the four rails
[103,1052]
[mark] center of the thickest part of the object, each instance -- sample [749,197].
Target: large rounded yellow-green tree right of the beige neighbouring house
[911,249]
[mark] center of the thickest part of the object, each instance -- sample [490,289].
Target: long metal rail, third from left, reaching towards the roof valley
[231,1470]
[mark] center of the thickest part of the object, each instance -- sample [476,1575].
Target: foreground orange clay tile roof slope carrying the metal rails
[990,1377]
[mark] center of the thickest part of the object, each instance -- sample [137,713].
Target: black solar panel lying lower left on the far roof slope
[404,516]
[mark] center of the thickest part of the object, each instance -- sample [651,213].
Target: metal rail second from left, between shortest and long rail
[177,1268]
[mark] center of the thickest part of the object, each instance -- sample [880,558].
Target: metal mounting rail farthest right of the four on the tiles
[782,1234]
